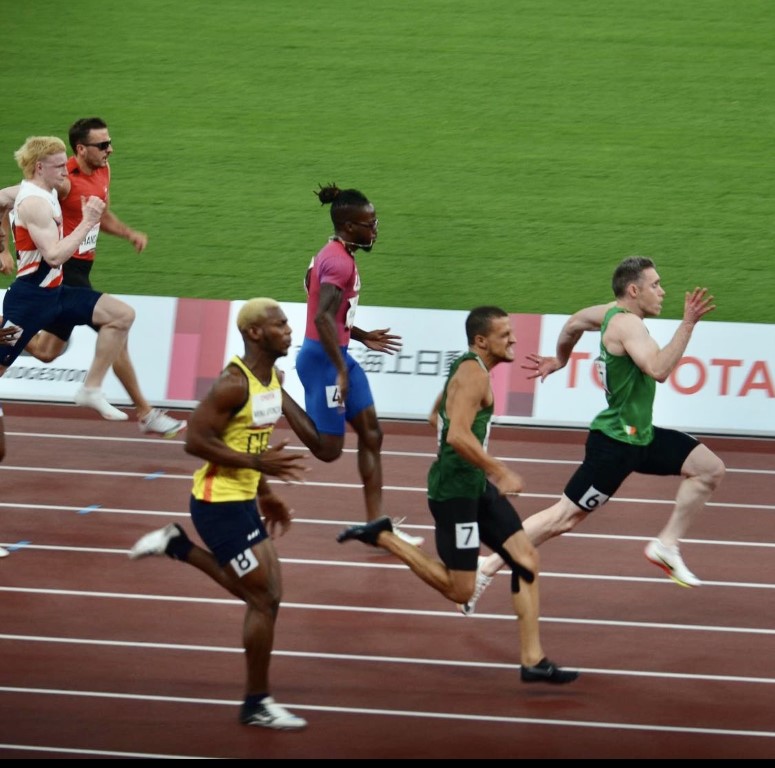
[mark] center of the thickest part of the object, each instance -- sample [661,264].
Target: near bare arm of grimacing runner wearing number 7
[467,392]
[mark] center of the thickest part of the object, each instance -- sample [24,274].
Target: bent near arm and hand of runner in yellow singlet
[208,423]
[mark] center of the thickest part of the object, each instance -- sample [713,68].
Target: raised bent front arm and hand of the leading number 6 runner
[658,363]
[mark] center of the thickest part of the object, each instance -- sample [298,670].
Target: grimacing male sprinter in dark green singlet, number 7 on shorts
[467,496]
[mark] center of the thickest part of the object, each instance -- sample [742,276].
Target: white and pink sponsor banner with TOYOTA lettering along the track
[724,384]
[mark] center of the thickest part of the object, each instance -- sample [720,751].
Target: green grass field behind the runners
[515,150]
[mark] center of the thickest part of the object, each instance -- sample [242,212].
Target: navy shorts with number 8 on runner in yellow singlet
[229,529]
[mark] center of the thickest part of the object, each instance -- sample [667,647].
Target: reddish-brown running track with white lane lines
[104,657]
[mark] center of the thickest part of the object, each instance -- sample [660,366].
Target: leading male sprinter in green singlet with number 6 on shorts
[622,438]
